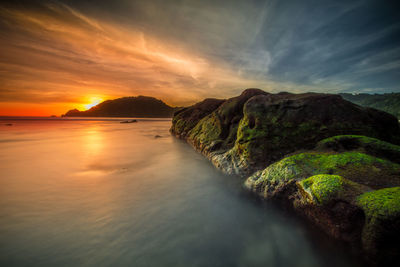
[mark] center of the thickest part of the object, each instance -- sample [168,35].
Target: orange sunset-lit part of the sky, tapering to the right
[51,59]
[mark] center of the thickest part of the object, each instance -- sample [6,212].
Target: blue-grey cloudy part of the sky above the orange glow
[353,45]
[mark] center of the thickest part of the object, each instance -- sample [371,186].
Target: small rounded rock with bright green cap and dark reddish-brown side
[329,202]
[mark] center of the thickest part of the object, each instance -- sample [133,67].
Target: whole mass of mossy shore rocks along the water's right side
[332,161]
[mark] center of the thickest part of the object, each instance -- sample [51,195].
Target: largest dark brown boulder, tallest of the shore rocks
[257,128]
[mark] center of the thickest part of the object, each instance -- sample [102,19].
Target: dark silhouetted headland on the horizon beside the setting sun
[140,106]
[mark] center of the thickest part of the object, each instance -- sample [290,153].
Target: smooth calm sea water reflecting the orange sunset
[101,193]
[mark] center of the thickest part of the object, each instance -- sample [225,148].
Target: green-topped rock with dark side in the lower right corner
[381,233]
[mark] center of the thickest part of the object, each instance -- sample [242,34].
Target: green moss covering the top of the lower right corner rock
[381,203]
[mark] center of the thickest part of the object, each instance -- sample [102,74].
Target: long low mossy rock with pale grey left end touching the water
[358,167]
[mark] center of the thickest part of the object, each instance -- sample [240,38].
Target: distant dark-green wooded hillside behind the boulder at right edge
[386,102]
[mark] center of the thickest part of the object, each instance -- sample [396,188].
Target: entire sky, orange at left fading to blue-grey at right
[60,55]
